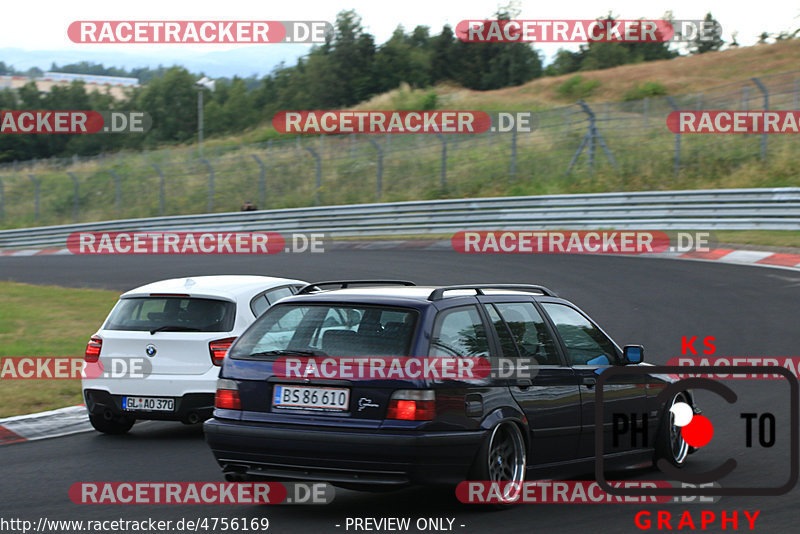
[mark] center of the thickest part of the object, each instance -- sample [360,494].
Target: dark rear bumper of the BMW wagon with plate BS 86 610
[343,455]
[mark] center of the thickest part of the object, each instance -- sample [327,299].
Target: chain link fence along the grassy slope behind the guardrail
[619,146]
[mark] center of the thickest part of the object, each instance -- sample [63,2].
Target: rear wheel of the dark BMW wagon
[502,458]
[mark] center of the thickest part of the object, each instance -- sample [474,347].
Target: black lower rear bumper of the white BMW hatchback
[189,408]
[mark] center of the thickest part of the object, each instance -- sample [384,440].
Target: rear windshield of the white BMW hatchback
[172,314]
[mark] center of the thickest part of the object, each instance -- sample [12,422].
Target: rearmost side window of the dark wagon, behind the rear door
[459,332]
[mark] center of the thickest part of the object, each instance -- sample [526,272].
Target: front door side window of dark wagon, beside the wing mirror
[582,339]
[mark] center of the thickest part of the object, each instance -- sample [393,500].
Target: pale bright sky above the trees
[41,24]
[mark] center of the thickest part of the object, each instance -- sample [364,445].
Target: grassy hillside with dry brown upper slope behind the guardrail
[279,171]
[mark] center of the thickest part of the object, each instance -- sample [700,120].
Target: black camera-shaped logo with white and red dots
[696,429]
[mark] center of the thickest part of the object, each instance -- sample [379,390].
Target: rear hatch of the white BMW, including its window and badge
[171,333]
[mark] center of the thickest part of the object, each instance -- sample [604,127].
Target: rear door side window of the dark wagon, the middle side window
[523,328]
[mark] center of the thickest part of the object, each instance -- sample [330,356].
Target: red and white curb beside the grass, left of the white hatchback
[50,424]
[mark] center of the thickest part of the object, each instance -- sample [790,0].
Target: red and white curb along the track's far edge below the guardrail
[722,255]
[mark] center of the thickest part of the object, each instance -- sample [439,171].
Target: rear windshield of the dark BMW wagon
[324,330]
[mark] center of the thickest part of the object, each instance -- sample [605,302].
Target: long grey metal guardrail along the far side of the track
[721,209]
